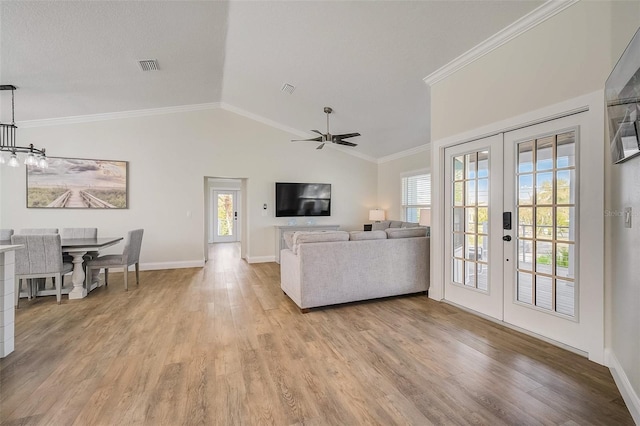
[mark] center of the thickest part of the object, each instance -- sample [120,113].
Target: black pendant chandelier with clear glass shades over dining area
[34,157]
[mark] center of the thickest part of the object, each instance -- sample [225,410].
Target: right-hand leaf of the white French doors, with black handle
[545,291]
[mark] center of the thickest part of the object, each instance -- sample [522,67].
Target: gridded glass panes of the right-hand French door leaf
[546,219]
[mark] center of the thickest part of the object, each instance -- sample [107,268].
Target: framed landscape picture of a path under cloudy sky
[76,183]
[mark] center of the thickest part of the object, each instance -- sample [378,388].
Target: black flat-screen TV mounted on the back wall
[303,199]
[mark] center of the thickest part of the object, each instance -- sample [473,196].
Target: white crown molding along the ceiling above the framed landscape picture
[117,115]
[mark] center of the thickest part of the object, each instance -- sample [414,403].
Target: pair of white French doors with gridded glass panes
[512,247]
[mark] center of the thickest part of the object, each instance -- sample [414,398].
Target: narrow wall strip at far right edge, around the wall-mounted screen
[622,185]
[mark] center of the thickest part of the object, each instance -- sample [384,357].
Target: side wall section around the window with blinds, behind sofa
[390,173]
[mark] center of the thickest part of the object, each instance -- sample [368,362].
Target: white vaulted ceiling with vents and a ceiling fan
[366,59]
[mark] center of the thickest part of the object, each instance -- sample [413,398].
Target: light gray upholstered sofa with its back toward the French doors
[332,267]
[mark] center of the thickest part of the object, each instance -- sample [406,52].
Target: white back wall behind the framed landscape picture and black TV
[169,155]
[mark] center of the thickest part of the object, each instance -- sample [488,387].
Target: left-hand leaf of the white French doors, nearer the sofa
[473,223]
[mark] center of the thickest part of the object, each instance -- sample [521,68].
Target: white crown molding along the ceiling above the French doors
[522,25]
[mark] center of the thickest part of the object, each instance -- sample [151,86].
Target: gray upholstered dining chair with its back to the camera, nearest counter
[40,257]
